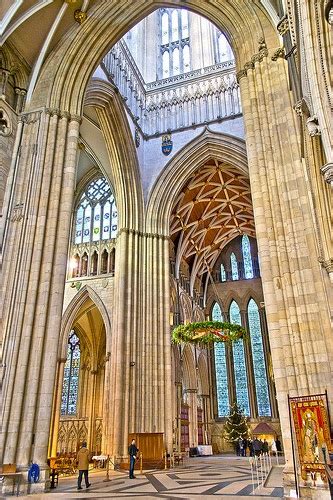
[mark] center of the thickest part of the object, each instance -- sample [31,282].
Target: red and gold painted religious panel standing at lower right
[312,431]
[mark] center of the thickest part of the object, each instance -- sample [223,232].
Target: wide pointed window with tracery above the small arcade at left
[96,215]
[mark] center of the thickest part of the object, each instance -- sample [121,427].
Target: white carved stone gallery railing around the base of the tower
[184,101]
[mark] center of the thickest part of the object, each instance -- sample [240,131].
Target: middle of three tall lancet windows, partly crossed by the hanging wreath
[242,393]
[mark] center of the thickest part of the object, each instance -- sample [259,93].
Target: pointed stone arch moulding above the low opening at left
[71,311]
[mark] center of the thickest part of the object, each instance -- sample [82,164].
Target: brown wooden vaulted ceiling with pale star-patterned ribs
[214,207]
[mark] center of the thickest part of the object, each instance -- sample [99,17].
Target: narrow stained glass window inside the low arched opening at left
[70,387]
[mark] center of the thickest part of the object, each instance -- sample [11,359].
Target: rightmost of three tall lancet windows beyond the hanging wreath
[258,355]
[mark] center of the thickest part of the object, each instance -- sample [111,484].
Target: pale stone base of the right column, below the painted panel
[306,488]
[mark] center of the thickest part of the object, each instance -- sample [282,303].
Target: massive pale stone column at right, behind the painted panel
[300,346]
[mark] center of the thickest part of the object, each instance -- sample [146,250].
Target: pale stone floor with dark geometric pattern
[199,478]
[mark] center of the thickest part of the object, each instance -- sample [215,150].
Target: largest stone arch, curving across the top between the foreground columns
[74,58]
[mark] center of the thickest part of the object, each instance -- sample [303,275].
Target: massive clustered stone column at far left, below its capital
[34,274]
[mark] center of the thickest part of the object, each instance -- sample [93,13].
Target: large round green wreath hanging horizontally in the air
[207,332]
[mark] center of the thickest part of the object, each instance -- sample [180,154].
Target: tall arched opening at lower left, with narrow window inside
[79,393]
